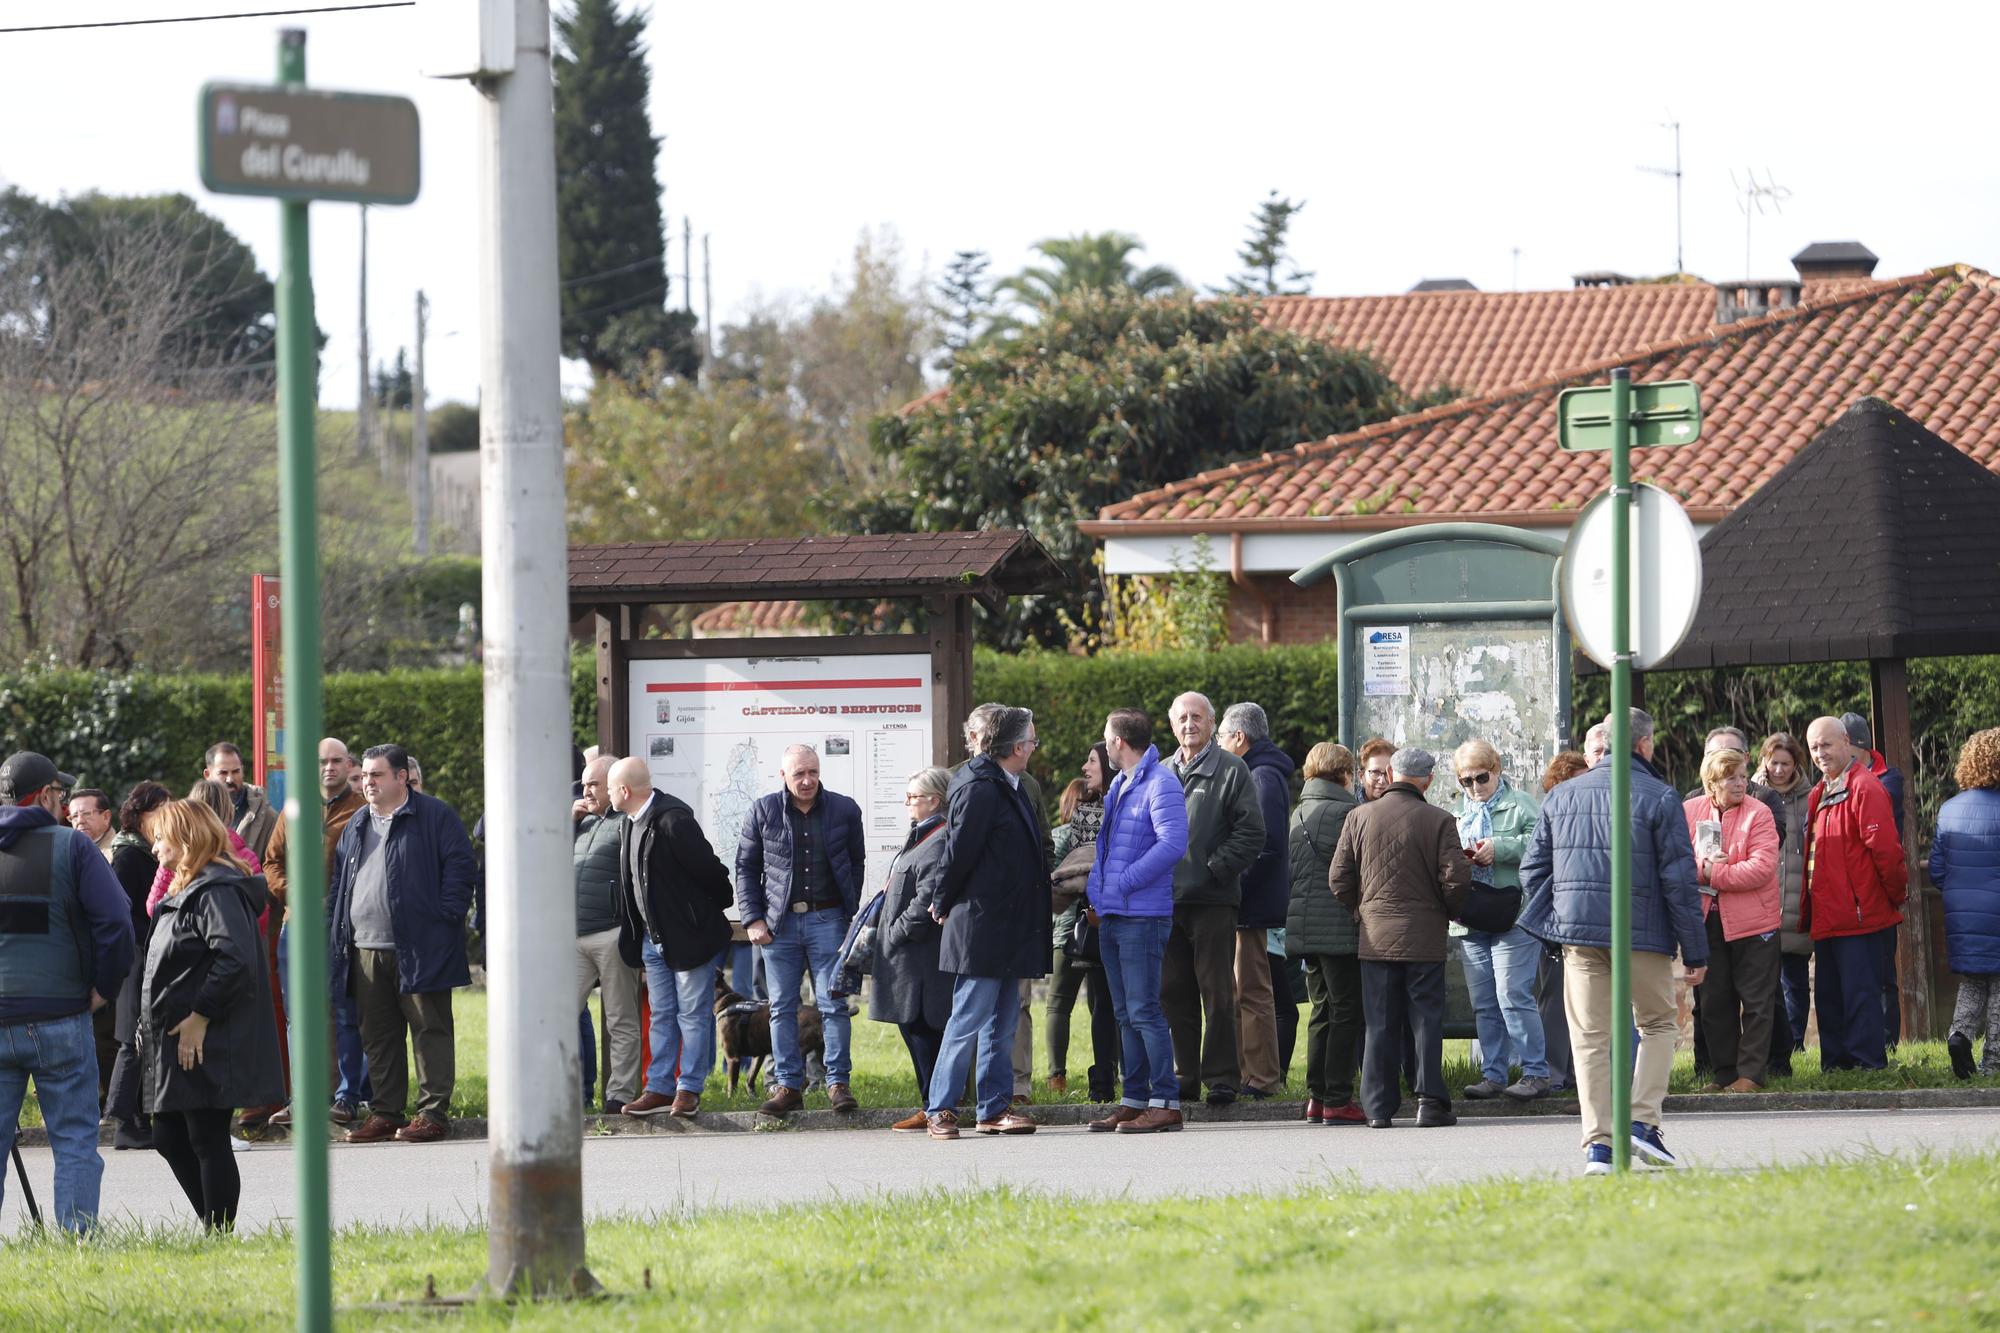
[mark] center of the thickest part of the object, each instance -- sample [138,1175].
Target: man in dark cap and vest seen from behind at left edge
[65,946]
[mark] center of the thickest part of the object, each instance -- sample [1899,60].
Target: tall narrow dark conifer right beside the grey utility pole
[609,233]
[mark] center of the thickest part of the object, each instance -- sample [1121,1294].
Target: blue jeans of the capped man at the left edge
[63,1060]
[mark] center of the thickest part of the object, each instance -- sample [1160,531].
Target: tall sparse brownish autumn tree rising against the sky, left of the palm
[851,355]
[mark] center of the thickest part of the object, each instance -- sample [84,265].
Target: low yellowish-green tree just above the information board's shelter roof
[687,463]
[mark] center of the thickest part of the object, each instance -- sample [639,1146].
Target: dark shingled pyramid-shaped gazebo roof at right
[1877,541]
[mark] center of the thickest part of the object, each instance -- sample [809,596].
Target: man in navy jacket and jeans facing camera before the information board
[799,884]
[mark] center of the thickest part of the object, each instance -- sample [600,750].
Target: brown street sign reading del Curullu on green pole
[303,143]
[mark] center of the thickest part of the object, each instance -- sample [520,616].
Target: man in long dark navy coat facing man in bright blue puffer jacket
[993,900]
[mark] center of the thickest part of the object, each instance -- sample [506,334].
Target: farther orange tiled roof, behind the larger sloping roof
[1481,343]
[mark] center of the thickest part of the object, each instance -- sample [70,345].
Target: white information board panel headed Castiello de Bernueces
[715,732]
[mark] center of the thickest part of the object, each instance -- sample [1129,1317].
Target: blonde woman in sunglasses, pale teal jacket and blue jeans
[1495,824]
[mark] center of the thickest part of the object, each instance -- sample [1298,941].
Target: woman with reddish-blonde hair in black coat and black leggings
[209,1042]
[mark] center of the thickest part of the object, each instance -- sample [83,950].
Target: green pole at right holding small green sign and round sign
[1621,760]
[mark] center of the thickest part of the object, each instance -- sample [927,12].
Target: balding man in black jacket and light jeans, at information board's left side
[671,898]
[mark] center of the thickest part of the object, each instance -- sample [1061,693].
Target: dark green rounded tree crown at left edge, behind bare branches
[225,311]
